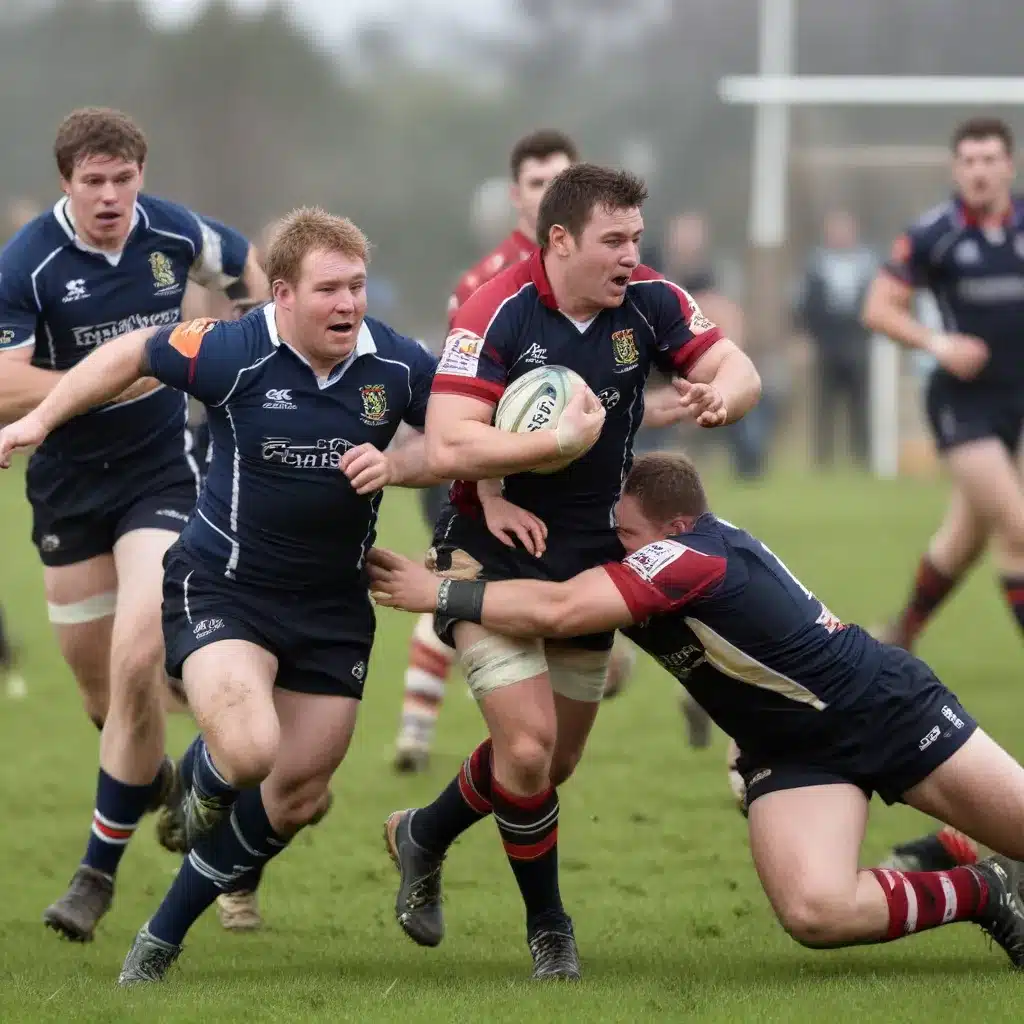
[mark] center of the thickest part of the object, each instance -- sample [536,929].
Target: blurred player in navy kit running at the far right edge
[969,252]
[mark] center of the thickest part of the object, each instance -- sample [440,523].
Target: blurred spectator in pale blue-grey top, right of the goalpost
[829,310]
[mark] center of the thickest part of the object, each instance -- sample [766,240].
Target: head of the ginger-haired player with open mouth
[317,266]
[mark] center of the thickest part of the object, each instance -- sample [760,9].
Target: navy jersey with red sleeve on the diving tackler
[754,647]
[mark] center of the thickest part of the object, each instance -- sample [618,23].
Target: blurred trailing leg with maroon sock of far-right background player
[957,545]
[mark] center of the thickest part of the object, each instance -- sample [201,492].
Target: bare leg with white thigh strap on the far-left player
[80,601]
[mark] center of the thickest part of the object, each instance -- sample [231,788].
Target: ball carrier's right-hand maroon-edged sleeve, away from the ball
[682,333]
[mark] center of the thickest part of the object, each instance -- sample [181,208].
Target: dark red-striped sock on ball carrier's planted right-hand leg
[529,827]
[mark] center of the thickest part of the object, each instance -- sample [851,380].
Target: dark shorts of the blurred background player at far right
[961,412]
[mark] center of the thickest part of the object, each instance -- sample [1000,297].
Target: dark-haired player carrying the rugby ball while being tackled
[582,302]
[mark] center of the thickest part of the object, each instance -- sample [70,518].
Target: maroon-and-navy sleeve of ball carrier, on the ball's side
[484,337]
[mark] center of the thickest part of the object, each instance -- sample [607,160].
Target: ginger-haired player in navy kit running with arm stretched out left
[267,617]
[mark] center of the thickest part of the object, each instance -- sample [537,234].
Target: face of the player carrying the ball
[601,265]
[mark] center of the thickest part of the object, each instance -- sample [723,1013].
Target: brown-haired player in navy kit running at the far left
[111,491]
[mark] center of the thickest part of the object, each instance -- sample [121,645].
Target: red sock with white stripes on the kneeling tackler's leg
[921,901]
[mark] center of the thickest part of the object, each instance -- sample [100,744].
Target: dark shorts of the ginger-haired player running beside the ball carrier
[322,641]
